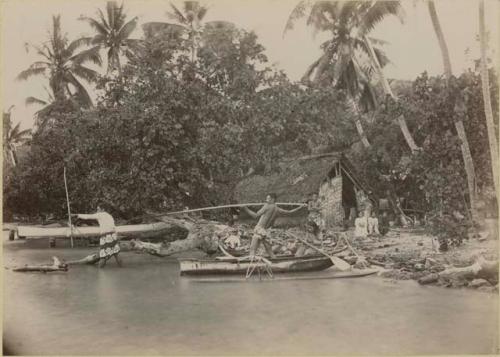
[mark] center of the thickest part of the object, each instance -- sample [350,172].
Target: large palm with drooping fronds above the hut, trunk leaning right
[350,23]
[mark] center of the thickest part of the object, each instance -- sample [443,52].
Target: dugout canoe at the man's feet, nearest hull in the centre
[236,266]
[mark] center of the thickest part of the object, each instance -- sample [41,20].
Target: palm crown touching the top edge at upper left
[113,31]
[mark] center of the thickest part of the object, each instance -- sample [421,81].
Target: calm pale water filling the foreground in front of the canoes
[146,308]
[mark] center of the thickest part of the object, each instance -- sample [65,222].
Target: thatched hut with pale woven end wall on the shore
[330,175]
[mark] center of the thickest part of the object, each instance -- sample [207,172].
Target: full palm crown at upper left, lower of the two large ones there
[63,65]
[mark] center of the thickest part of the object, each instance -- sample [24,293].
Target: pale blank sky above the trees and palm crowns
[412,48]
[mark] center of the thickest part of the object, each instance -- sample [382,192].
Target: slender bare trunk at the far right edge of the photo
[485,83]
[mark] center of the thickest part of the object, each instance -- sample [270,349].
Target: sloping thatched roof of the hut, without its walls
[297,179]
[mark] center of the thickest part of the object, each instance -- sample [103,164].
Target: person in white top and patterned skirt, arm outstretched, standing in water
[108,243]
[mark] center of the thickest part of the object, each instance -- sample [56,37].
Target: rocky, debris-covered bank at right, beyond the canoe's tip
[411,254]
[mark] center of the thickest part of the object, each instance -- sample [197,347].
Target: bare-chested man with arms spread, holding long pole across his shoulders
[266,215]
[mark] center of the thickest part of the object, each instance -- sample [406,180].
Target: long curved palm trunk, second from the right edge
[460,109]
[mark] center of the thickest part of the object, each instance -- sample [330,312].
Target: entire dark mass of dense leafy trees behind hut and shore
[195,109]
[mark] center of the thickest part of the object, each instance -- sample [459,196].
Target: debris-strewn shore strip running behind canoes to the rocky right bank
[402,254]
